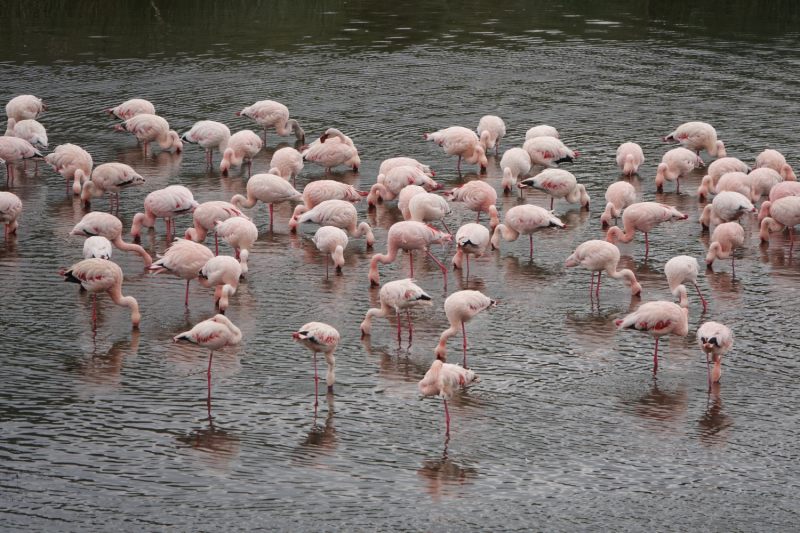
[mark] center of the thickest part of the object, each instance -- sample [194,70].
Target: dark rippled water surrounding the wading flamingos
[107,430]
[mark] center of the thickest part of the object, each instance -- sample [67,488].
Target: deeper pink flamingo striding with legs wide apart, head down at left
[408,235]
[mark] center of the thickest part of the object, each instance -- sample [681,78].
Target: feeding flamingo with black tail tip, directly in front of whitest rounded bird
[100,275]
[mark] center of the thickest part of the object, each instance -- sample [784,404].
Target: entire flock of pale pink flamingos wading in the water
[736,188]
